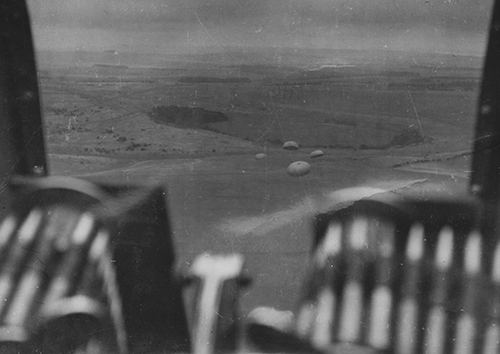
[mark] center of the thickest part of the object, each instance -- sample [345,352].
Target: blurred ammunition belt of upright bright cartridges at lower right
[396,276]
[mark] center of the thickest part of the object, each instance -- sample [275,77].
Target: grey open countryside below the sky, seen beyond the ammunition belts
[211,127]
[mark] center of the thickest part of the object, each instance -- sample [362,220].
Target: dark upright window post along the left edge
[22,147]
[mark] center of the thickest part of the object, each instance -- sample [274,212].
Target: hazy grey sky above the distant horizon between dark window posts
[175,26]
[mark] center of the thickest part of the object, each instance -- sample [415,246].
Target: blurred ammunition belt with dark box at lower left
[88,269]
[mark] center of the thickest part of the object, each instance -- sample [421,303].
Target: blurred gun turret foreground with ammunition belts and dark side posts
[88,268]
